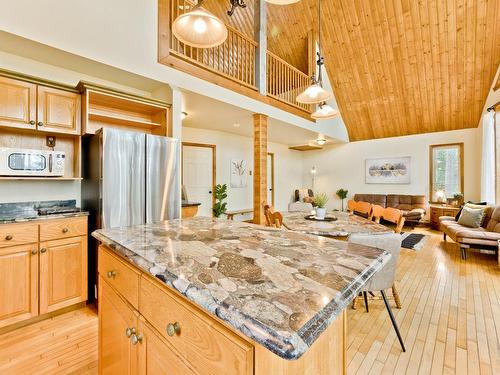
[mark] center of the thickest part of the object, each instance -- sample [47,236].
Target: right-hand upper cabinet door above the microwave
[58,111]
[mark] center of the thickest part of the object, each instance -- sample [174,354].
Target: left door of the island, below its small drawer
[117,355]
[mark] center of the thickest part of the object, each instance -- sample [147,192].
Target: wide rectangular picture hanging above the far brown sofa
[388,171]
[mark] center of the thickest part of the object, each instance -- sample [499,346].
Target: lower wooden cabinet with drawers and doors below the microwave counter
[38,277]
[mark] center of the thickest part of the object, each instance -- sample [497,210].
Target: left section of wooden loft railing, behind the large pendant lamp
[233,59]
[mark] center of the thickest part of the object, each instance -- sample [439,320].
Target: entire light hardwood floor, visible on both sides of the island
[450,322]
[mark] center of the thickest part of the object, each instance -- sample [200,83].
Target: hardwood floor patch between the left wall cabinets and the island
[65,344]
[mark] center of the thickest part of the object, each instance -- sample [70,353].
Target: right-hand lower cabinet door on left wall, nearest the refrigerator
[63,273]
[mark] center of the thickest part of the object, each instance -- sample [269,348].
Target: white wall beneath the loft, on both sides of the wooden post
[287,166]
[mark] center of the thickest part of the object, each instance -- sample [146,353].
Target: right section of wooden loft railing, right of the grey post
[285,82]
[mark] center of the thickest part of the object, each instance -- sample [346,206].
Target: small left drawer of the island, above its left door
[119,275]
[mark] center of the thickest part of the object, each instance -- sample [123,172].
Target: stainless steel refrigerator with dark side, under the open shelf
[130,178]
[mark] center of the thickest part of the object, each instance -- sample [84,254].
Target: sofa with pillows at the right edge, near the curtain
[484,237]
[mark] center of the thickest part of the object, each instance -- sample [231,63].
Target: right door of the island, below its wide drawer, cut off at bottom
[156,356]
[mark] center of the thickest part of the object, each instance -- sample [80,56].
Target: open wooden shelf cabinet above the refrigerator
[108,108]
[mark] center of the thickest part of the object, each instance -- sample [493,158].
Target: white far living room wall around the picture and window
[343,166]
